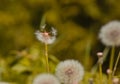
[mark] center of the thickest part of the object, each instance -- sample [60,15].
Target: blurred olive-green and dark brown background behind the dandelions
[77,23]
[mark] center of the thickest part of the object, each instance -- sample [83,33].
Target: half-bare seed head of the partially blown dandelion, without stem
[46,37]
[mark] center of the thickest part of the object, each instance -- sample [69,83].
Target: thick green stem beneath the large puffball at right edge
[111,64]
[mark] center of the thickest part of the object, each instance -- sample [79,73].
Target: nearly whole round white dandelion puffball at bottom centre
[70,72]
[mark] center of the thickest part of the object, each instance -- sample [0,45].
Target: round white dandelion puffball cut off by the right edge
[110,34]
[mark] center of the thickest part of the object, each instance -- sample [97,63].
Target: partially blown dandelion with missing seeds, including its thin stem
[46,38]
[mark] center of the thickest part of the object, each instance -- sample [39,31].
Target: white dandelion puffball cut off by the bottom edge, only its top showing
[46,79]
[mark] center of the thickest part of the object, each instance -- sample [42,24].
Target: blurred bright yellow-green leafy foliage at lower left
[25,65]
